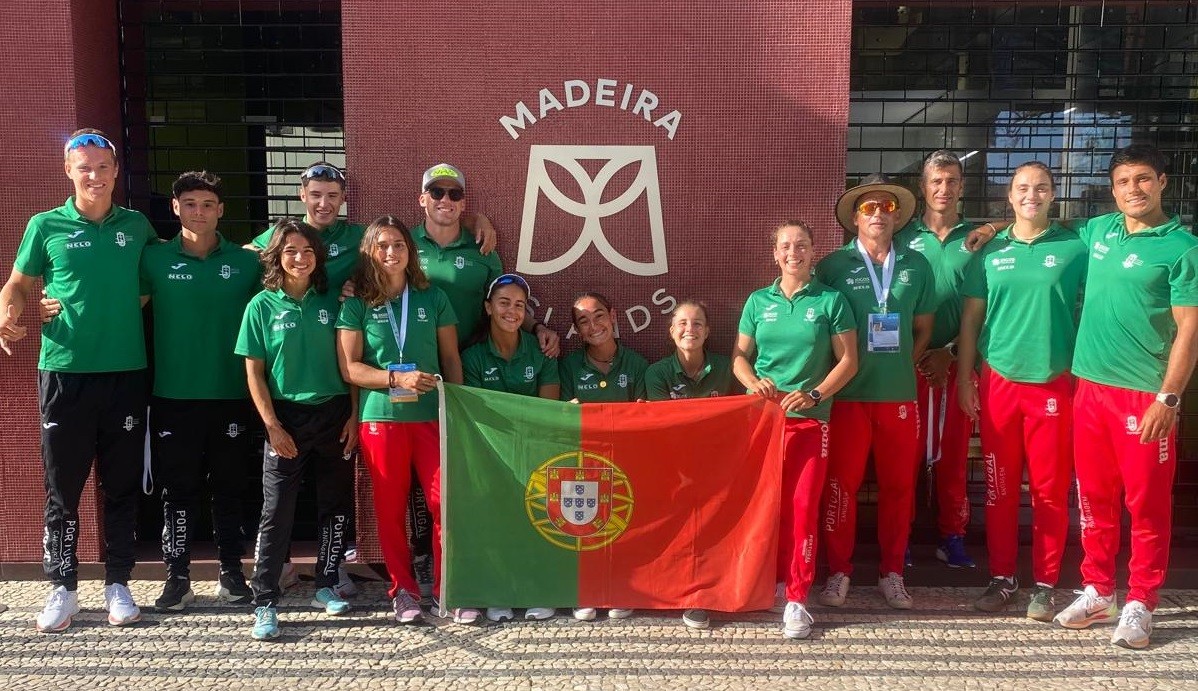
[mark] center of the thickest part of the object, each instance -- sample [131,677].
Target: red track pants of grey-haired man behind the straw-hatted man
[947,432]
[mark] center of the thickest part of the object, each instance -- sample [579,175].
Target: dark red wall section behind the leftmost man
[63,76]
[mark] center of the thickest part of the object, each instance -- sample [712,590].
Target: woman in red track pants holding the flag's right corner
[797,345]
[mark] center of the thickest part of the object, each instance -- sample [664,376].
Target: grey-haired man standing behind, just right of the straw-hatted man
[940,235]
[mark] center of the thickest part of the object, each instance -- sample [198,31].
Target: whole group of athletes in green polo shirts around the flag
[337,334]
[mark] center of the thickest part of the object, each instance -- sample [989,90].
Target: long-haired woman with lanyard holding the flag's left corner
[395,341]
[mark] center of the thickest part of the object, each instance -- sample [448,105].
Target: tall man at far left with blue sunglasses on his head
[93,371]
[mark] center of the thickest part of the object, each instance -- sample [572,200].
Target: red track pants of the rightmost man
[1112,460]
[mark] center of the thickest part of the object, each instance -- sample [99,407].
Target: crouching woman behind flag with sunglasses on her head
[509,360]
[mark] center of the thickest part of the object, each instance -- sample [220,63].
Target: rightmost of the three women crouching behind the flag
[689,373]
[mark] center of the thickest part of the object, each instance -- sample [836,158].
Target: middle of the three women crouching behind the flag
[601,372]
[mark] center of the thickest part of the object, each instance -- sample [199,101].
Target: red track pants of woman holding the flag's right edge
[804,465]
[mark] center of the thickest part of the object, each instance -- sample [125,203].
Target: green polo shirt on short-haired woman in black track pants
[298,341]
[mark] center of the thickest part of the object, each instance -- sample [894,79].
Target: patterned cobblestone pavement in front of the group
[862,646]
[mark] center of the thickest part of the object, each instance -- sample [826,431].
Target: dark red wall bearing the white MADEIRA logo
[763,92]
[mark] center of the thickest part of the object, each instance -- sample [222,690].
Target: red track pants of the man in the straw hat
[891,431]
